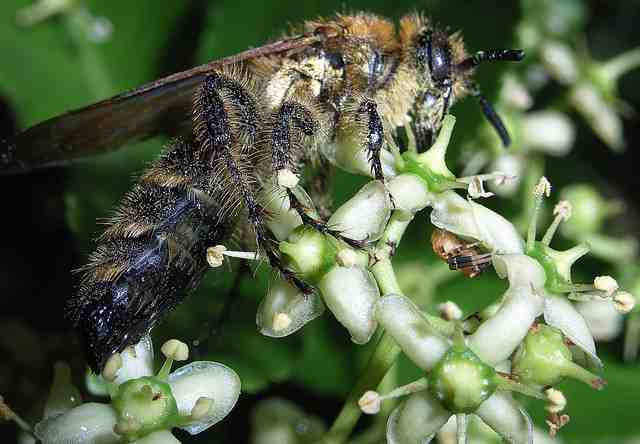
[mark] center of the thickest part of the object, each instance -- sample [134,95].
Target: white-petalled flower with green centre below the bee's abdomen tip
[144,406]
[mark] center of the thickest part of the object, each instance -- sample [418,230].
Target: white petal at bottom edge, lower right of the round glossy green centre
[507,418]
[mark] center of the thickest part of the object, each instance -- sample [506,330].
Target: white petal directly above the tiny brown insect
[466,218]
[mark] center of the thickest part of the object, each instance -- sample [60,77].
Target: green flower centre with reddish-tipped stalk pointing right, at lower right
[544,359]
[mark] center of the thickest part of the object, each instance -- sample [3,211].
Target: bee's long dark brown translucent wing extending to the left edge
[159,107]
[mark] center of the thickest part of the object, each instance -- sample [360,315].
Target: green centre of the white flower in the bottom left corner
[144,405]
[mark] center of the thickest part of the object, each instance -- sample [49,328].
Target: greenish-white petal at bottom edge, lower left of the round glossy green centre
[416,420]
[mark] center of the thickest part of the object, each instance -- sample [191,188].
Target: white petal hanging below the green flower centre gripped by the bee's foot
[351,294]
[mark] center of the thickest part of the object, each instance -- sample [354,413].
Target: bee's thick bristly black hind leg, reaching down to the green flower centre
[226,138]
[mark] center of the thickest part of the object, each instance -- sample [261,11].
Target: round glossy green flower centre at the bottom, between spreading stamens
[461,381]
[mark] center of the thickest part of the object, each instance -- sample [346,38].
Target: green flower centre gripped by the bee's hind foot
[309,253]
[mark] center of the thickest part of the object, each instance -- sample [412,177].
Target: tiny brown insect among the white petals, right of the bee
[459,254]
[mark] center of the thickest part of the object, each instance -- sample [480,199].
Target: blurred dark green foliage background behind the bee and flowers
[49,217]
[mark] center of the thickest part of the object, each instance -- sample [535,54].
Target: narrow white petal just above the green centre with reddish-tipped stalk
[560,313]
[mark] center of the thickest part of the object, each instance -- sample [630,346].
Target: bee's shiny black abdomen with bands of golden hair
[153,253]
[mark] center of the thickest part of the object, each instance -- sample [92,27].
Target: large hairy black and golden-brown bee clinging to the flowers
[244,120]
